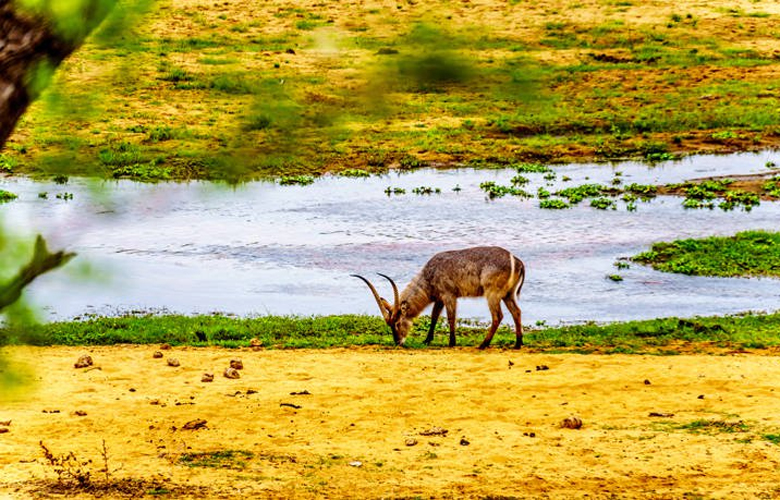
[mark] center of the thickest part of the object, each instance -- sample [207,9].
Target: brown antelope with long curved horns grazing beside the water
[492,272]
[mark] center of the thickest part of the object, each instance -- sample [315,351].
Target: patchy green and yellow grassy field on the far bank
[234,90]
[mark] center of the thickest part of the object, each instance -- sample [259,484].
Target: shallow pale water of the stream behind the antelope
[262,248]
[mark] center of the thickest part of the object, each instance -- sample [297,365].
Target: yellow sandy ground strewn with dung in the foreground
[357,429]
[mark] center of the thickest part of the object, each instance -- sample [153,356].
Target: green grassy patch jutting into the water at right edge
[749,253]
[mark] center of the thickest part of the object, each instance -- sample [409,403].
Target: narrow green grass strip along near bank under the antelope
[659,336]
